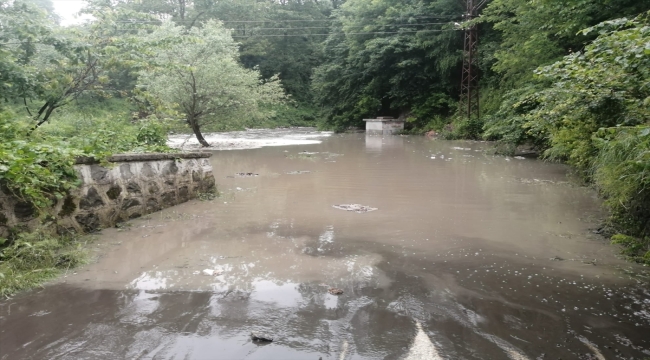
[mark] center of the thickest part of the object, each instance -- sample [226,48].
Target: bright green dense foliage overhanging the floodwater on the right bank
[591,109]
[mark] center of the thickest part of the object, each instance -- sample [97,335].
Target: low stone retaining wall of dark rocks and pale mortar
[131,186]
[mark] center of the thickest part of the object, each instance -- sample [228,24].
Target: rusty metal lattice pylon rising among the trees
[469,90]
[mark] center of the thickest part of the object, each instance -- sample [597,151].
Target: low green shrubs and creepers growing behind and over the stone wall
[39,168]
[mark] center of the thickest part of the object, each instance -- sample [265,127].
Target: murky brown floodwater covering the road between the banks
[464,256]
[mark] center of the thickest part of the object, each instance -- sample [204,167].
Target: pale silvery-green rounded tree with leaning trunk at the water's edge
[198,69]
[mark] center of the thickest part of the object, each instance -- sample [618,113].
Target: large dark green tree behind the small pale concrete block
[389,57]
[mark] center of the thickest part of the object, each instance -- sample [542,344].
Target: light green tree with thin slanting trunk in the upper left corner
[47,67]
